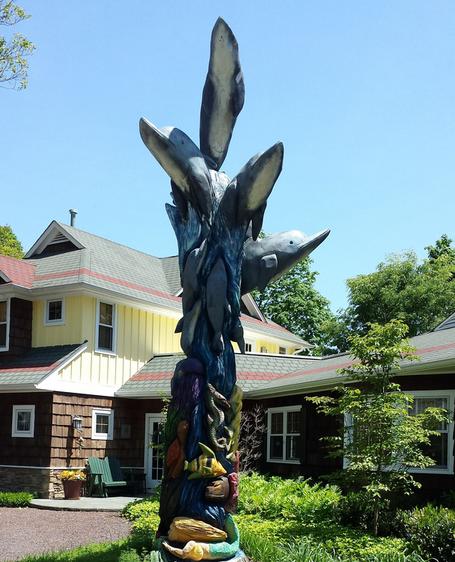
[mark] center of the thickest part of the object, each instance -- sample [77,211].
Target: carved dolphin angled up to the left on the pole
[182,160]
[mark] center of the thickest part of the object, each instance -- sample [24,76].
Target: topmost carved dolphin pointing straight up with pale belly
[223,95]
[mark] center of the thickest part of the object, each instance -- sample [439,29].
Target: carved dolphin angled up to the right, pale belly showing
[255,182]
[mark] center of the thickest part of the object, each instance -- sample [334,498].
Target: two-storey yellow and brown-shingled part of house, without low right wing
[79,316]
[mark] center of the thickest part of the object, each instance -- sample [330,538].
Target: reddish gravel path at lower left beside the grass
[25,531]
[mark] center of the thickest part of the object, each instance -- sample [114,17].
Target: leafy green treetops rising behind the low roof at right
[421,294]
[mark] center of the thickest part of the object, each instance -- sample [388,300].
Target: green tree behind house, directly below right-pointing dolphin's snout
[293,302]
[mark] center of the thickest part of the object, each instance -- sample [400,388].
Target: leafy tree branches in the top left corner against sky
[13,50]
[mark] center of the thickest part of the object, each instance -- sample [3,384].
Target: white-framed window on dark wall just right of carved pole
[283,434]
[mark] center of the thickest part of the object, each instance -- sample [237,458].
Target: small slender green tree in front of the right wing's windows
[381,437]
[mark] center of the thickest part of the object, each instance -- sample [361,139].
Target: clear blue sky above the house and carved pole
[361,92]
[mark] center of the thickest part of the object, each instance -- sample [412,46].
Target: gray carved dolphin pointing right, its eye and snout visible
[268,258]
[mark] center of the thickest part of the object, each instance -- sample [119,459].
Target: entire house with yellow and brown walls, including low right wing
[87,351]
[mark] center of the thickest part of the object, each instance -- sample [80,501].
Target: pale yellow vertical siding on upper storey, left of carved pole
[139,335]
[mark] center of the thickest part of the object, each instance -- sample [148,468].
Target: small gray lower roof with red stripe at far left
[33,366]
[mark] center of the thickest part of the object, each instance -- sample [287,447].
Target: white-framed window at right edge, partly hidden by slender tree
[441,447]
